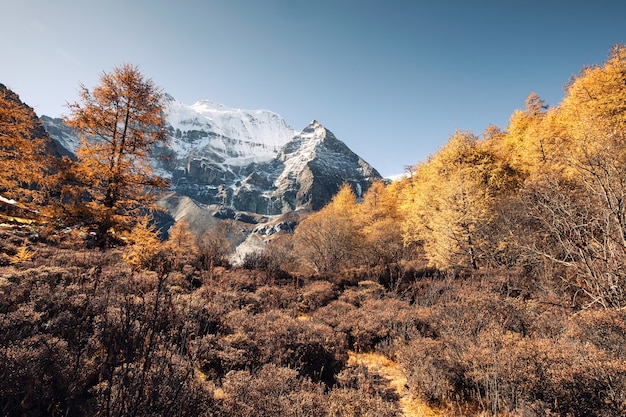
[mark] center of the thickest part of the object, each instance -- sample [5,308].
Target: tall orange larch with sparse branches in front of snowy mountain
[119,122]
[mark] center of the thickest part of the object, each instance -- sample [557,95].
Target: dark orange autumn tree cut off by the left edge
[22,162]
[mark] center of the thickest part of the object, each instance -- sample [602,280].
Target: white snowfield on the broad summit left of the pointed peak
[232,137]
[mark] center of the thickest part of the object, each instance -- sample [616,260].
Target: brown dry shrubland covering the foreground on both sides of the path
[85,334]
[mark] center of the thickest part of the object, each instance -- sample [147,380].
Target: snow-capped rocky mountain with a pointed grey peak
[247,160]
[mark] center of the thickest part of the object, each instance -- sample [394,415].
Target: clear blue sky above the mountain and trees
[393,79]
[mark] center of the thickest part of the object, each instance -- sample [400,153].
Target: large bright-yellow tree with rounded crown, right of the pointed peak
[451,202]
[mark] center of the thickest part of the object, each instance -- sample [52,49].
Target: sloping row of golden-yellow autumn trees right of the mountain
[546,195]
